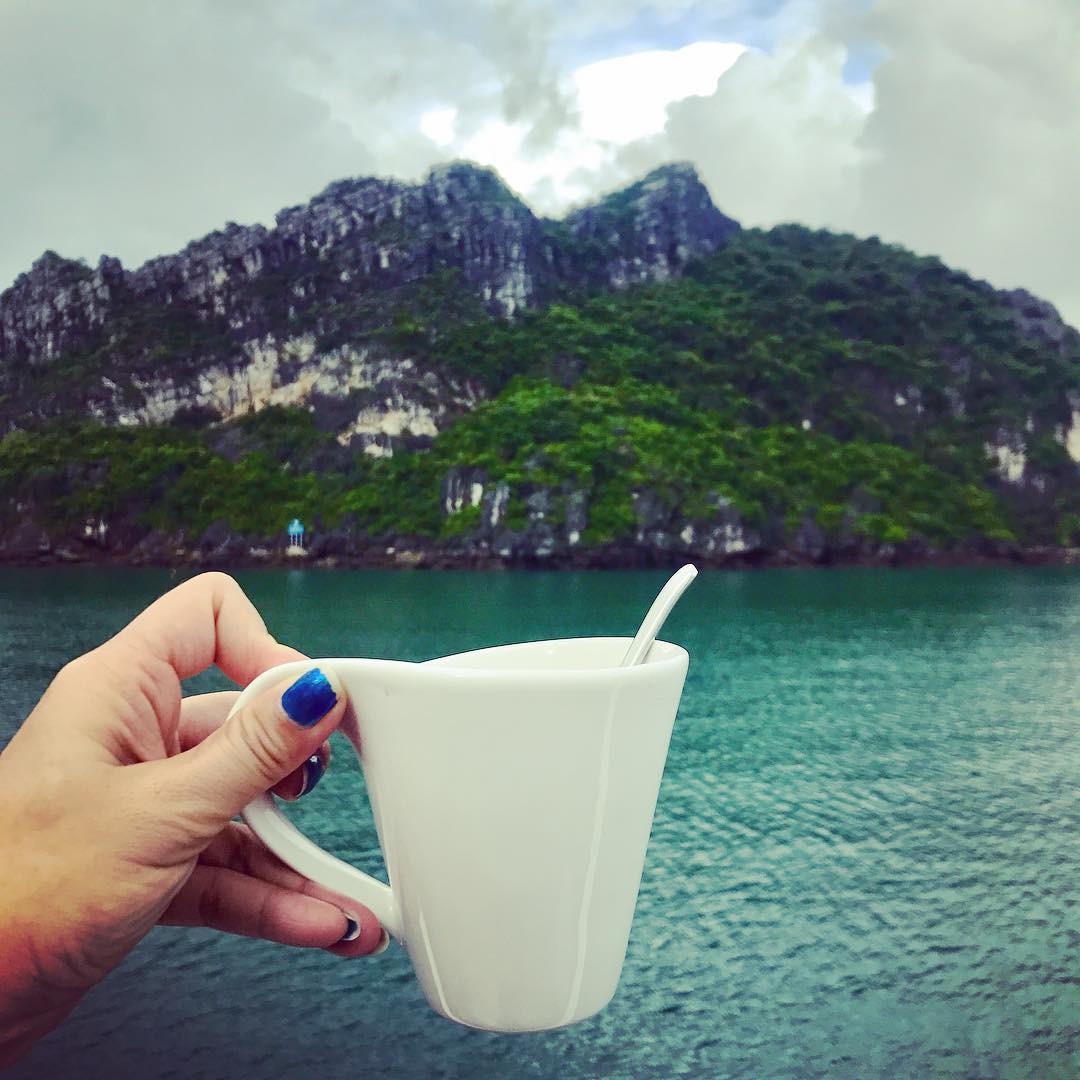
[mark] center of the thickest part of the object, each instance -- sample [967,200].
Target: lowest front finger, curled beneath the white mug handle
[224,900]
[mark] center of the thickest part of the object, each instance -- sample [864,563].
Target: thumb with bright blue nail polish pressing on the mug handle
[260,745]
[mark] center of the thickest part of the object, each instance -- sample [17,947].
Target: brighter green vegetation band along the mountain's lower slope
[609,441]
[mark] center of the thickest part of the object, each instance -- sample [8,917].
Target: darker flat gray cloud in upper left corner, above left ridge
[132,128]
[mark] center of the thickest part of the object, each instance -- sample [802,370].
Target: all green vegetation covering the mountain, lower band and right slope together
[795,377]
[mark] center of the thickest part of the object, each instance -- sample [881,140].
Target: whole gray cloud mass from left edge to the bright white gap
[131,128]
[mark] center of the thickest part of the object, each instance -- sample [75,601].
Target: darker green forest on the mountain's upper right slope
[793,325]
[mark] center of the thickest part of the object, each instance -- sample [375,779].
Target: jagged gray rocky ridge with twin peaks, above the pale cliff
[369,237]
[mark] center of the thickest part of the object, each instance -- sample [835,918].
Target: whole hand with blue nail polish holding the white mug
[117,800]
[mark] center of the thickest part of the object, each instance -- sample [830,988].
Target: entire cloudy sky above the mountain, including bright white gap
[953,127]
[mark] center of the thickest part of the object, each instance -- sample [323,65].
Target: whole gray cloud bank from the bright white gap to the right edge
[971,151]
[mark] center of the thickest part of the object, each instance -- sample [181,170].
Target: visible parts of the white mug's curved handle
[293,848]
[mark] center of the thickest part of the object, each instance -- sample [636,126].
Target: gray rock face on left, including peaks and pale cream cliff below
[250,317]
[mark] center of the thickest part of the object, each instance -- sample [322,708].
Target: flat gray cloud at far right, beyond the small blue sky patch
[974,152]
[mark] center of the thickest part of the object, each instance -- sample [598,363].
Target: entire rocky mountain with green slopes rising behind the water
[431,373]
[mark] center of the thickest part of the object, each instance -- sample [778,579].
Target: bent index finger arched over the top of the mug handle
[208,620]
